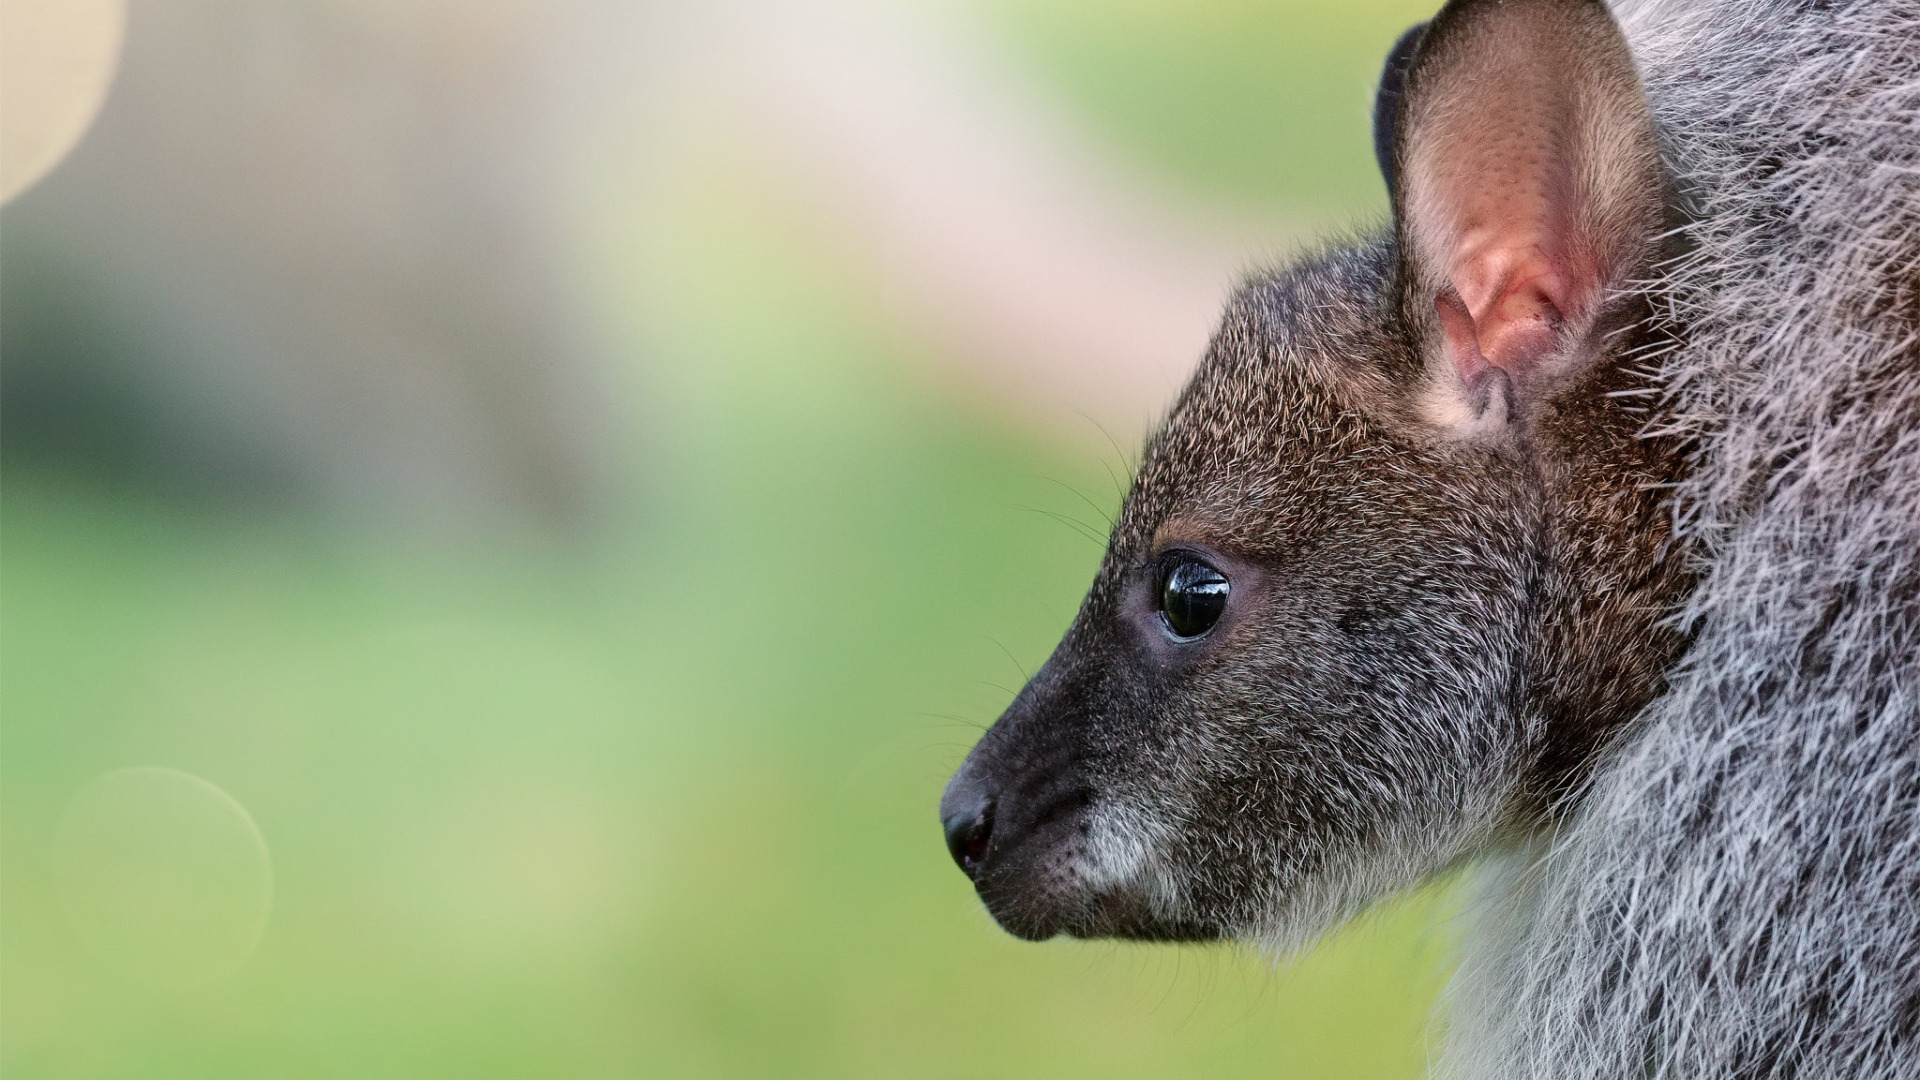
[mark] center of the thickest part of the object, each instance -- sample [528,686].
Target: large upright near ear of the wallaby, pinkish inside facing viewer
[1527,193]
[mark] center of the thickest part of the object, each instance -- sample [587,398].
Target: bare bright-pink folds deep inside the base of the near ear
[1504,310]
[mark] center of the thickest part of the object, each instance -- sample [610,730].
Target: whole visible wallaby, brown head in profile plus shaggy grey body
[1570,526]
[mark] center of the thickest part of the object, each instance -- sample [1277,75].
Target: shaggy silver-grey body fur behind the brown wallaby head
[1740,893]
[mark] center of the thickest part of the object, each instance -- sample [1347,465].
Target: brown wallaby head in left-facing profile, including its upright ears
[1395,570]
